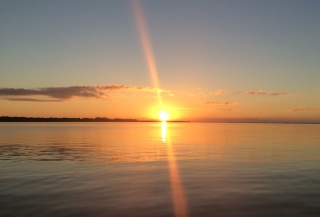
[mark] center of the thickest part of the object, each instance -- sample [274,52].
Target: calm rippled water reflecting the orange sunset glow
[155,169]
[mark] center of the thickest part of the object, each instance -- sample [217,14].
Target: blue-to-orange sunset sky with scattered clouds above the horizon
[197,60]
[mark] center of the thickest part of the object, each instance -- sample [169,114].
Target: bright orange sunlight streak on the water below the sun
[179,200]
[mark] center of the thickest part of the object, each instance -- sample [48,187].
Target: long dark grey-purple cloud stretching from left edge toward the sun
[64,93]
